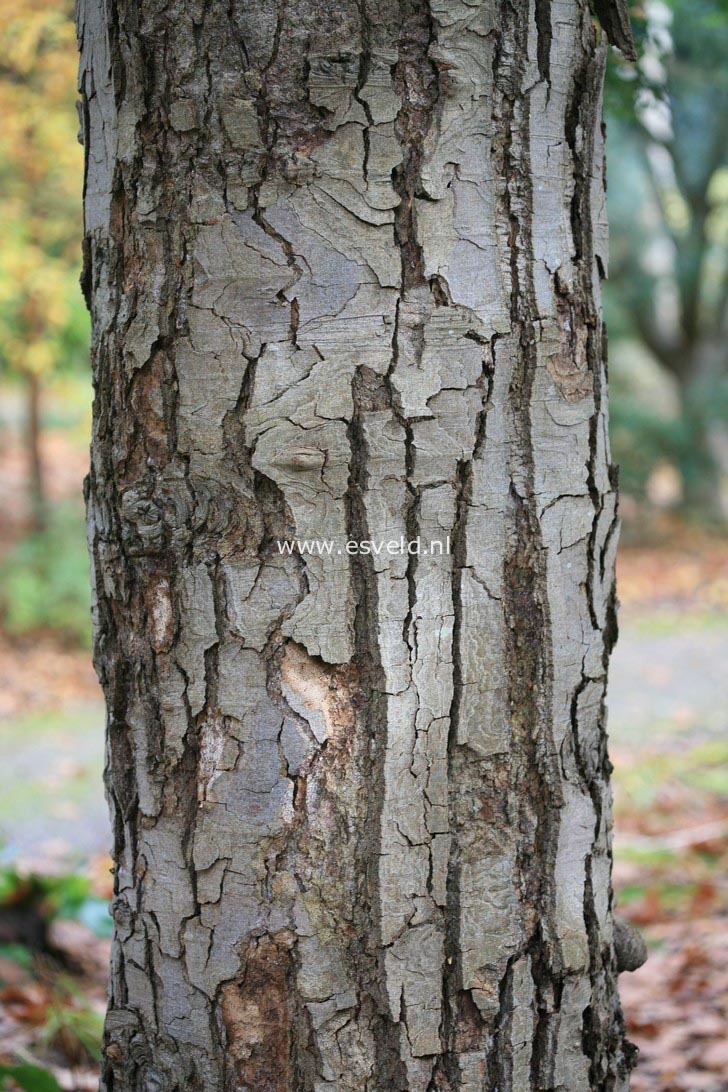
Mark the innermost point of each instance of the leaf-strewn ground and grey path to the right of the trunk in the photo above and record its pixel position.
(669, 721)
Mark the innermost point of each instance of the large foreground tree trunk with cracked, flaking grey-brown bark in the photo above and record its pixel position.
(344, 267)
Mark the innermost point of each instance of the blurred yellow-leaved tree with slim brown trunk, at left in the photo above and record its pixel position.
(43, 326)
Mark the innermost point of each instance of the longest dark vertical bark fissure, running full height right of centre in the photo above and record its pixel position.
(531, 671)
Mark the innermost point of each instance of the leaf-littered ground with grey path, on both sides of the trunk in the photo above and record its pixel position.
(669, 714)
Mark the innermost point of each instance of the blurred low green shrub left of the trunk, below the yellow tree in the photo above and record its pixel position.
(44, 580)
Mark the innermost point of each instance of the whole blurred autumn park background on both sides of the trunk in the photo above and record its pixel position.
(667, 314)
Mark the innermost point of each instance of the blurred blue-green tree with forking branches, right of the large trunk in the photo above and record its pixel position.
(670, 215)
